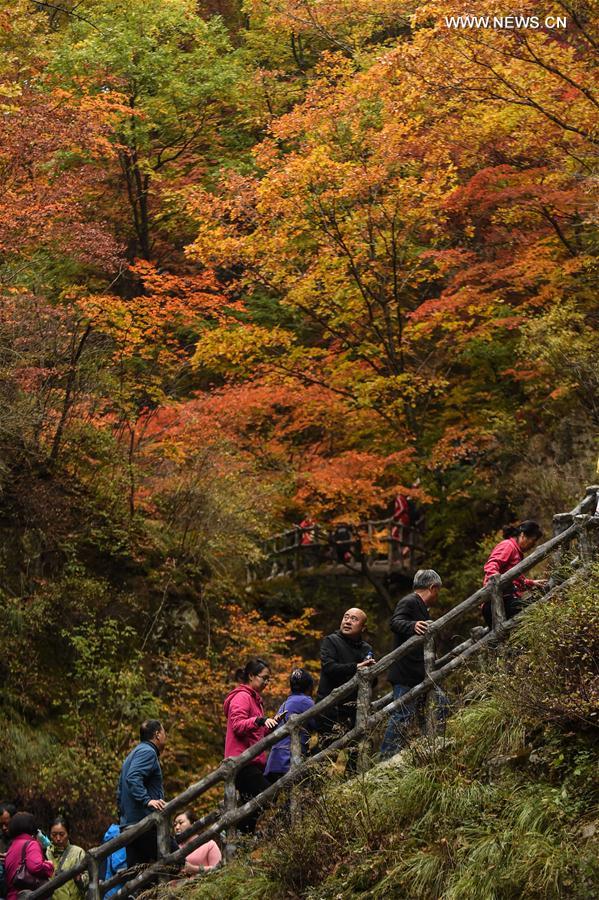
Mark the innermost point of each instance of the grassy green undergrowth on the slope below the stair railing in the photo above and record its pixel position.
(507, 808)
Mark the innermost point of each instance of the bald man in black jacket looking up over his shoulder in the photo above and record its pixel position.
(341, 655)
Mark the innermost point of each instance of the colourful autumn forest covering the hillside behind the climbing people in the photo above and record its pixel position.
(261, 259)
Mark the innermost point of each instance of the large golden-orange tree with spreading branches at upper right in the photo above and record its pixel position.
(410, 238)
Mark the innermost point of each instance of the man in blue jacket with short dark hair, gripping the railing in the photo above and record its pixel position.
(140, 790)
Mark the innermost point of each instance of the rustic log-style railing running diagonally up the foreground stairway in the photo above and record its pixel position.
(577, 524)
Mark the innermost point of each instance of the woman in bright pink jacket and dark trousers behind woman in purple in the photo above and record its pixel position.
(246, 725)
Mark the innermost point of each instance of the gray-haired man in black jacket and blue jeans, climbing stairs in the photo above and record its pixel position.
(411, 617)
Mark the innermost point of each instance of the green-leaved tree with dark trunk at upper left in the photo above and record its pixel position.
(174, 73)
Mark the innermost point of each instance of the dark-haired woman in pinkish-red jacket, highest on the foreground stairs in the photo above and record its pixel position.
(518, 539)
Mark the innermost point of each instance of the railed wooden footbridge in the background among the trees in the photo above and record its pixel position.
(377, 548)
